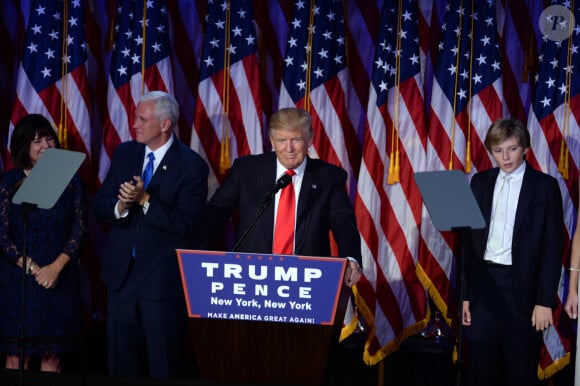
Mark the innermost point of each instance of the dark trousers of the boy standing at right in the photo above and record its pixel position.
(503, 347)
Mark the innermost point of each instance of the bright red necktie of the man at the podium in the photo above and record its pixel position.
(284, 229)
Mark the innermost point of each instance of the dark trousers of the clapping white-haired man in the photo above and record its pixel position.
(146, 338)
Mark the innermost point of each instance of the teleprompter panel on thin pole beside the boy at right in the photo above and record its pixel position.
(452, 207)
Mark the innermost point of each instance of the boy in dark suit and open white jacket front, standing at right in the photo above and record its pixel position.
(513, 265)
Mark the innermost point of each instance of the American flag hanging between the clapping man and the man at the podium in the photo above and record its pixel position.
(228, 119)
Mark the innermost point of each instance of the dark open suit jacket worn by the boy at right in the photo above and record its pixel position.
(537, 239)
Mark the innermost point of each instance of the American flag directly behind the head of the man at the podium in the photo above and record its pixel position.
(317, 79)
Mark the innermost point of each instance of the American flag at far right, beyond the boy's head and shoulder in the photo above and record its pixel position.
(554, 131)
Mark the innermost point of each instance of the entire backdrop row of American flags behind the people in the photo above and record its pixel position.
(394, 87)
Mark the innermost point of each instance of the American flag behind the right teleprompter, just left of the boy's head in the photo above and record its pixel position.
(466, 97)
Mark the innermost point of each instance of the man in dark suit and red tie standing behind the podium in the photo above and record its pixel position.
(322, 204)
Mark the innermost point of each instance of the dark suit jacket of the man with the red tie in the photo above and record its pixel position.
(323, 206)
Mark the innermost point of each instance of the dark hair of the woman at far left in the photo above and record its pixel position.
(24, 133)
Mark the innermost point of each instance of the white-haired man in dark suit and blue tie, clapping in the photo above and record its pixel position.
(150, 217)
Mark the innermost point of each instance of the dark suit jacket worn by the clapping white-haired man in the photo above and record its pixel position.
(178, 191)
